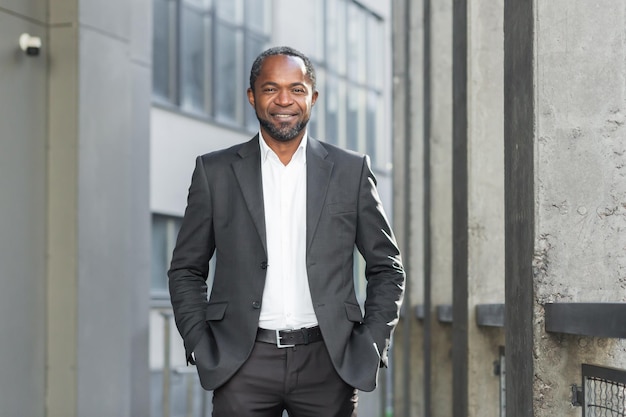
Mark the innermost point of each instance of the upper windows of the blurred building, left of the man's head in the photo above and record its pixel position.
(201, 52)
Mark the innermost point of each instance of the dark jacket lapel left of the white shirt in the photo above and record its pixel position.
(248, 173)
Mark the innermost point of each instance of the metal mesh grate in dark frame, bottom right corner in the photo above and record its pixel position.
(604, 391)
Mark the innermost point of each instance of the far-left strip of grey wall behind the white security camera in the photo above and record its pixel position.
(22, 211)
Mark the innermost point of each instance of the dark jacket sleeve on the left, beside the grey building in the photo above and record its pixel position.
(189, 268)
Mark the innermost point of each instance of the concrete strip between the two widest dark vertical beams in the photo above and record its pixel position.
(485, 199)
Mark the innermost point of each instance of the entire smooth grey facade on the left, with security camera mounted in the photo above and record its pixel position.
(75, 228)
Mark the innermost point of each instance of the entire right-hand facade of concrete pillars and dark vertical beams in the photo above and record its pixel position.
(510, 151)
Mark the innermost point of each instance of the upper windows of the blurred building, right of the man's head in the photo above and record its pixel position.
(353, 92)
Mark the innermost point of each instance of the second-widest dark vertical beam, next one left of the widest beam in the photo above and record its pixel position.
(459, 211)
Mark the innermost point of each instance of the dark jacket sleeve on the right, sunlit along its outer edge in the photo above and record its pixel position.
(384, 272)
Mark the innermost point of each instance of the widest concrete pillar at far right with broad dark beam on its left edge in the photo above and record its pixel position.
(565, 153)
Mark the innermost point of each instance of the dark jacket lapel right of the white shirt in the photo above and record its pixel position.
(317, 181)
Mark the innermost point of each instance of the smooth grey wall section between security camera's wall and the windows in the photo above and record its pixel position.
(98, 208)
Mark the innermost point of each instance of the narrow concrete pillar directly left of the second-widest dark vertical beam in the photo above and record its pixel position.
(438, 222)
